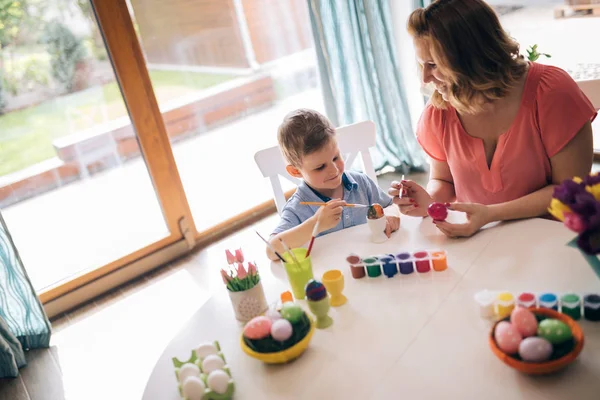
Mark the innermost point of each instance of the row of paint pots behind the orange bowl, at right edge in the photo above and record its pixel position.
(500, 304)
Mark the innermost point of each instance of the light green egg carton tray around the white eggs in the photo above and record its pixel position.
(196, 360)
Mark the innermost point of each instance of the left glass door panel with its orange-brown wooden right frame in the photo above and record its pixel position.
(88, 182)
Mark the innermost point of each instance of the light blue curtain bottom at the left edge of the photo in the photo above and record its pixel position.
(23, 322)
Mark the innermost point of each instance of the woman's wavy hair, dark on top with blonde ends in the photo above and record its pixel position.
(471, 49)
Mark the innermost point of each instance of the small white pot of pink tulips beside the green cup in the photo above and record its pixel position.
(244, 287)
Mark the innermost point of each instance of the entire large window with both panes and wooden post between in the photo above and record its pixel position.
(129, 127)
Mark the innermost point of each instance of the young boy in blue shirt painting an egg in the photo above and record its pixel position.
(308, 143)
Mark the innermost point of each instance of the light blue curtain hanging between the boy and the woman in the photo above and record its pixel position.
(360, 77)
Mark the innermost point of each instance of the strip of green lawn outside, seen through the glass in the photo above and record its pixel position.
(26, 135)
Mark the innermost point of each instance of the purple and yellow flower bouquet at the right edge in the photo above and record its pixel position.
(576, 202)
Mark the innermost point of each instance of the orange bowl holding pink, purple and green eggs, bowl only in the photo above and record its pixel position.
(547, 367)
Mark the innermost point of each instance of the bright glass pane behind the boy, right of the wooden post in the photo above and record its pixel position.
(226, 73)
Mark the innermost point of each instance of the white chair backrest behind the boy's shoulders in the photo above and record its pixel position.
(353, 140)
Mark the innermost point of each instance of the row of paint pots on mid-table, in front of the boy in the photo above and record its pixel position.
(403, 263)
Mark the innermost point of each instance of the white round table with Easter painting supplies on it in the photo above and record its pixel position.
(416, 336)
